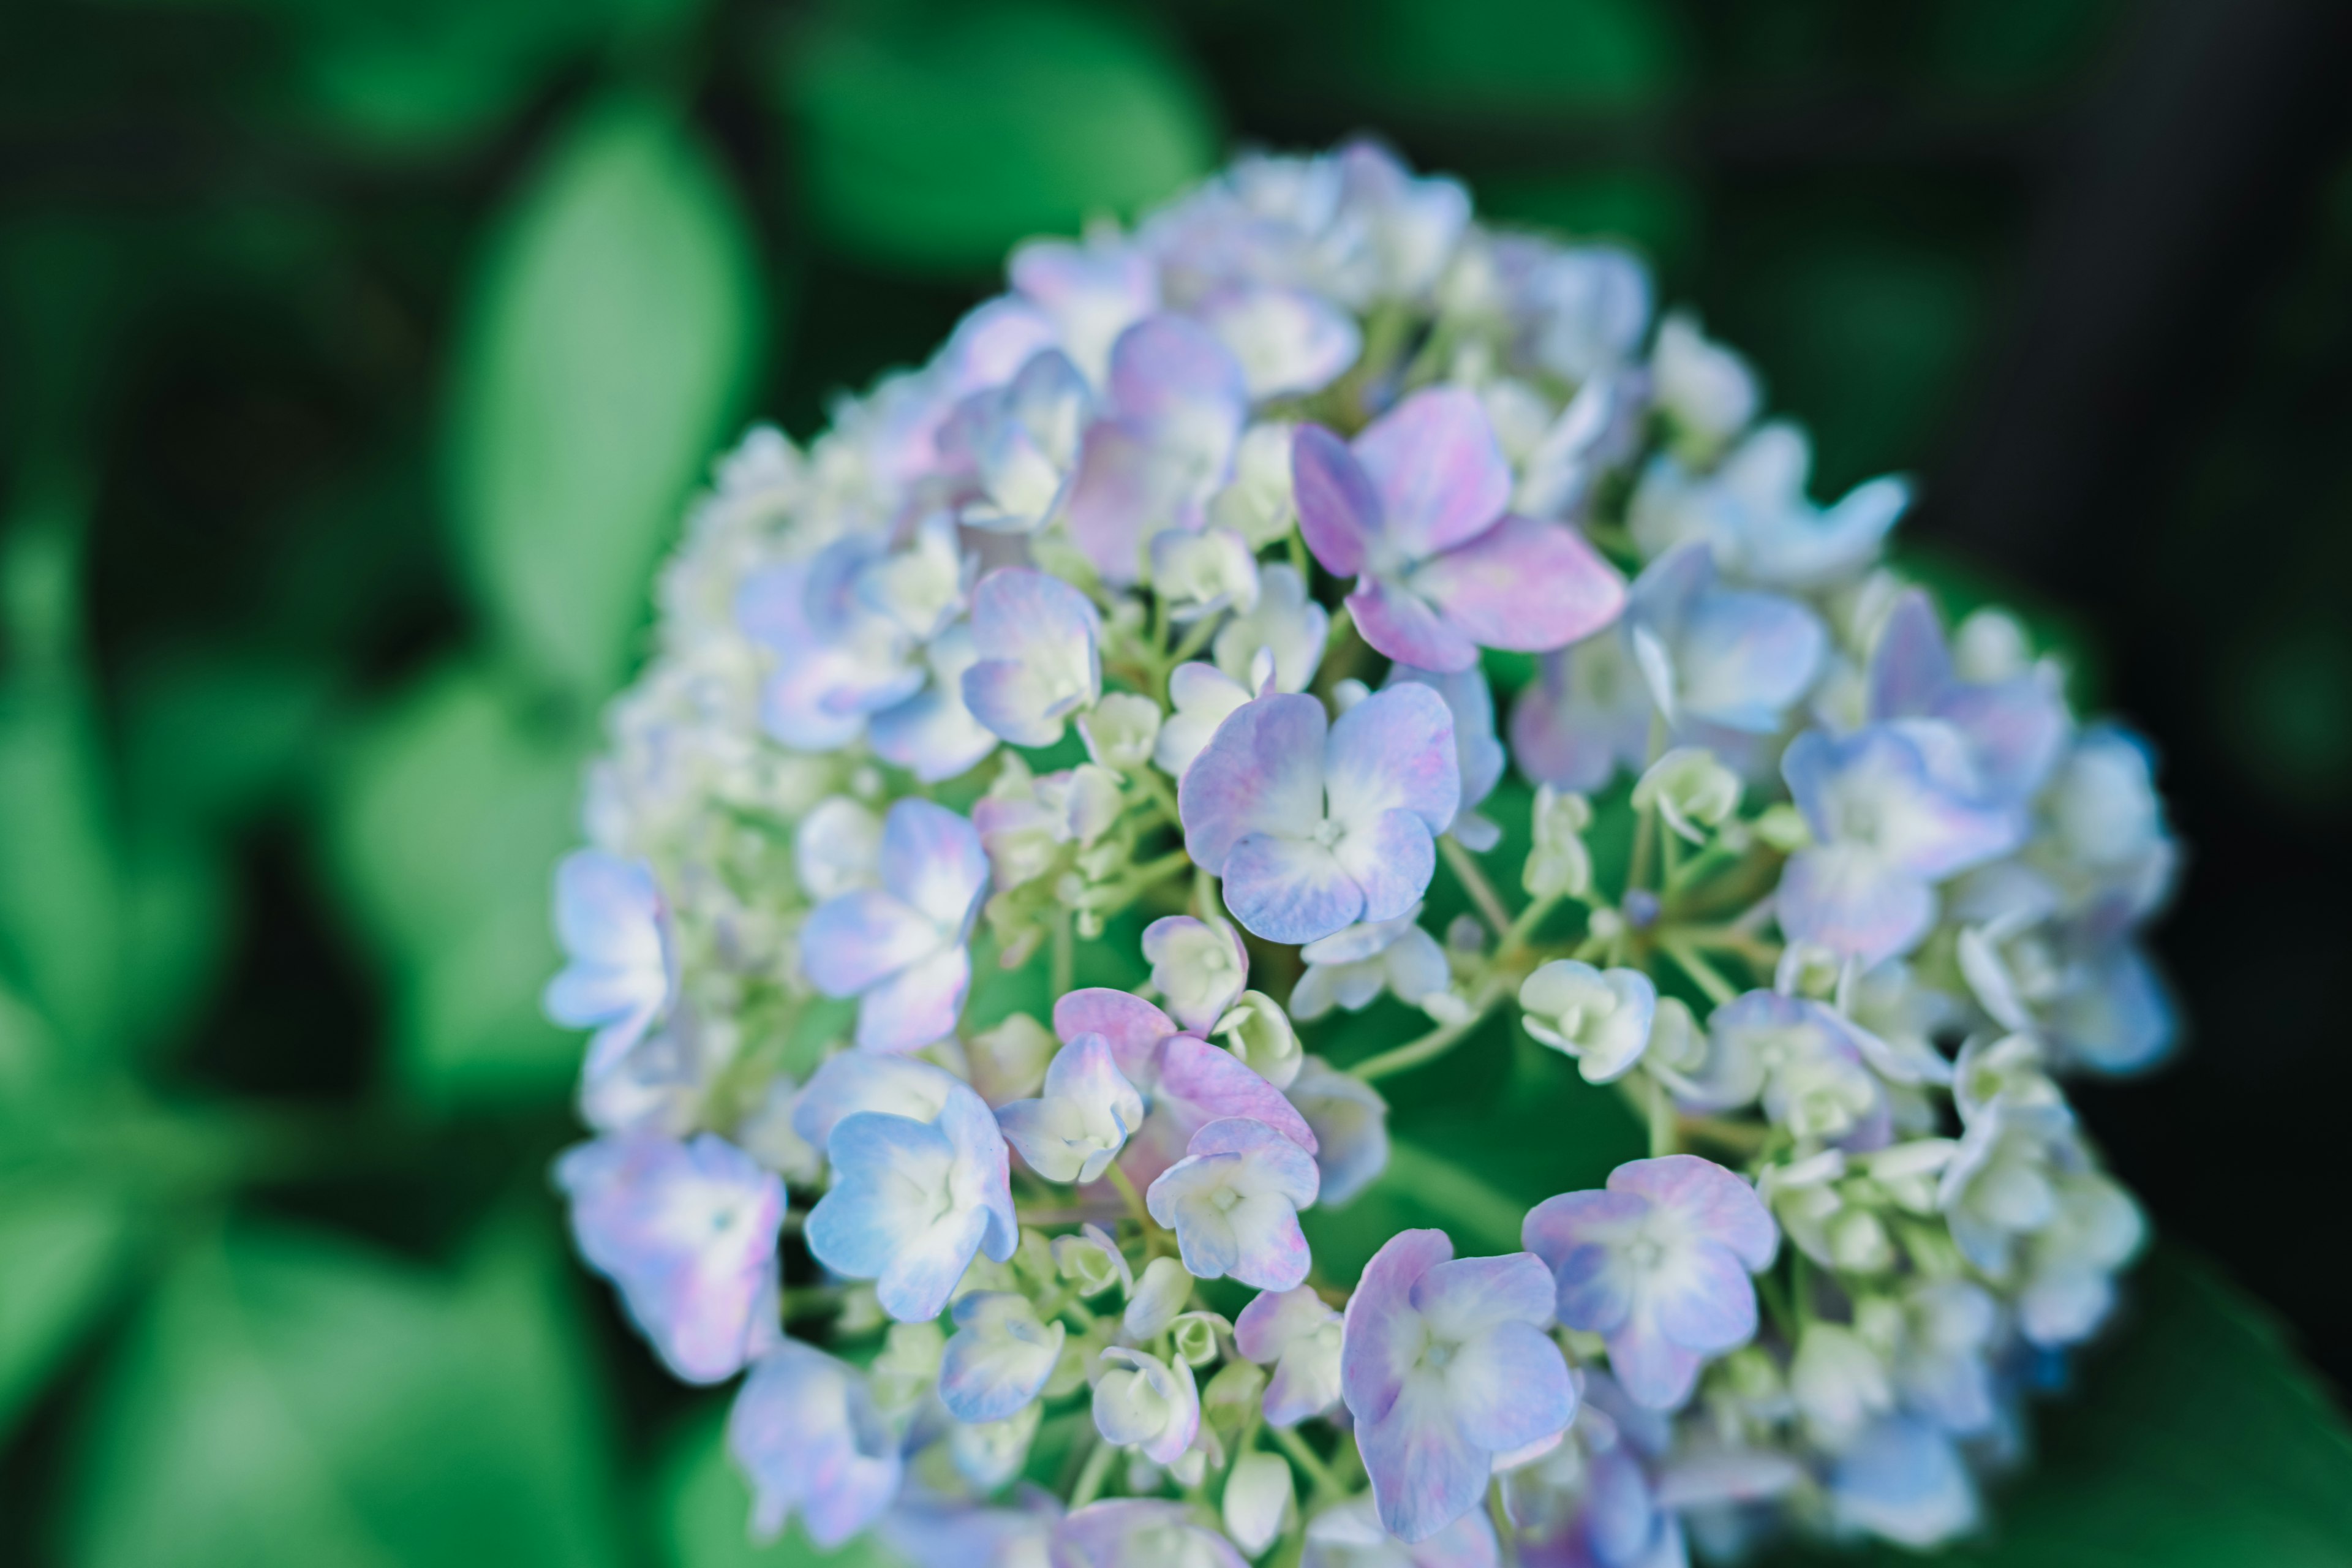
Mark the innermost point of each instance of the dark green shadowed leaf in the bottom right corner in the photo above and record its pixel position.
(2196, 1440)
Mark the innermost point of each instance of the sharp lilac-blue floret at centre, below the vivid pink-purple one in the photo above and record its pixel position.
(1316, 826)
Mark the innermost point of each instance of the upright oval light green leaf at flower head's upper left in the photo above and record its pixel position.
(610, 344)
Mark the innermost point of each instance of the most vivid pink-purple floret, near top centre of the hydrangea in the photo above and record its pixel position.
(1415, 509)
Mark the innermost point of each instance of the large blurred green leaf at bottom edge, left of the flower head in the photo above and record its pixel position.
(298, 1400)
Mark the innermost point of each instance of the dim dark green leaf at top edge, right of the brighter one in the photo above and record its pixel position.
(1542, 55)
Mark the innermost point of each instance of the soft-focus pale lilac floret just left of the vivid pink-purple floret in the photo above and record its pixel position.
(1175, 410)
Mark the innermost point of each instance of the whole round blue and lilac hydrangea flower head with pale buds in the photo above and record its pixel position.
(1036, 760)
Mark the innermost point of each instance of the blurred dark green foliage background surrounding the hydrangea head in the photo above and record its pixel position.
(356, 359)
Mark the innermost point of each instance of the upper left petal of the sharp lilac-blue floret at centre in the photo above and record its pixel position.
(1262, 772)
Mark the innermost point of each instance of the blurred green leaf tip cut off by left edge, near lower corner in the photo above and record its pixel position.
(62, 1252)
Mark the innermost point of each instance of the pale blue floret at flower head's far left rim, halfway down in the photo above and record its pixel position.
(622, 970)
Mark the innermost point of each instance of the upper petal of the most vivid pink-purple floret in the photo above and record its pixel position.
(1438, 471)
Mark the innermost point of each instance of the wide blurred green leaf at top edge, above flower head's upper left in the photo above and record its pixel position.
(940, 135)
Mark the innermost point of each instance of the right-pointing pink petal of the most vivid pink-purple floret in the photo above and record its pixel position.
(1523, 584)
